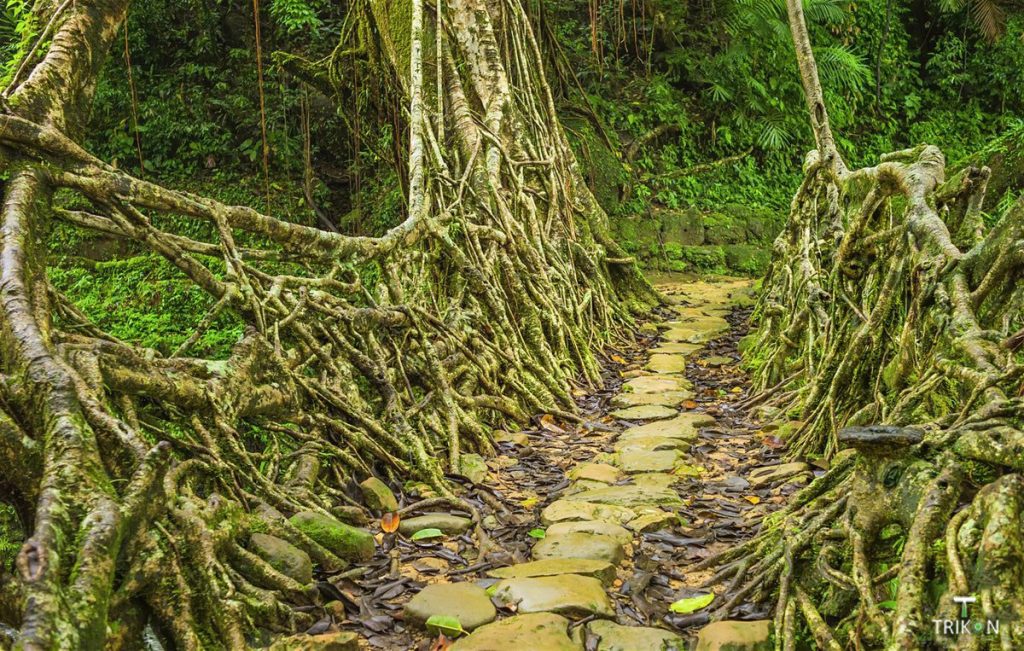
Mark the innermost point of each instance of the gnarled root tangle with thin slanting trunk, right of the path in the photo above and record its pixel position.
(889, 300)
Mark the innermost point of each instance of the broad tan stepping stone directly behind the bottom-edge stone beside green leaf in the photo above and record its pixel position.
(570, 595)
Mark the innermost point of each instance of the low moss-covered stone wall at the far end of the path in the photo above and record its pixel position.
(736, 239)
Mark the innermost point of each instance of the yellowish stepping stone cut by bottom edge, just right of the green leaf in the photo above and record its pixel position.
(545, 632)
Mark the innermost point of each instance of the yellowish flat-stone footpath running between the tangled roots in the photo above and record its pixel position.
(563, 597)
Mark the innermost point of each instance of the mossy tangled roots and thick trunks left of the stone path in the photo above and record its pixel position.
(141, 476)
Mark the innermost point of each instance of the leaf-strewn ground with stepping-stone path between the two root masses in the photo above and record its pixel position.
(591, 526)
